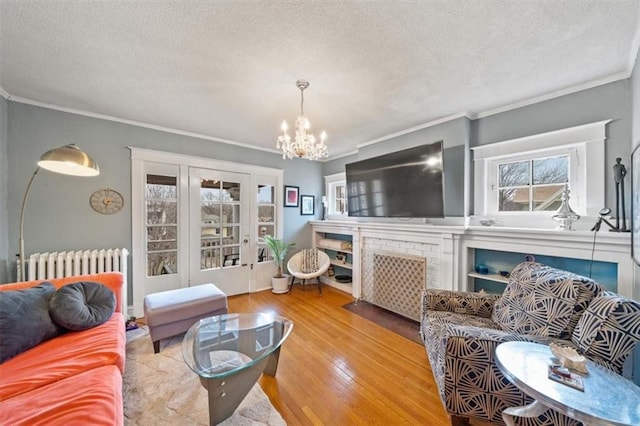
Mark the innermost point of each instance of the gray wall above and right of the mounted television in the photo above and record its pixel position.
(455, 136)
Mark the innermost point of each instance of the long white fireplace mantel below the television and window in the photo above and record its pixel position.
(455, 244)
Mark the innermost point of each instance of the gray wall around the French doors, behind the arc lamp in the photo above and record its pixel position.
(58, 215)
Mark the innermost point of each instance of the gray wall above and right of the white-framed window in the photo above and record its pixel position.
(610, 101)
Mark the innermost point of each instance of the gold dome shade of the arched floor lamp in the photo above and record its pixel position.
(69, 160)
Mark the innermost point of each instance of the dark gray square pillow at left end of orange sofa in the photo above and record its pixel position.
(24, 319)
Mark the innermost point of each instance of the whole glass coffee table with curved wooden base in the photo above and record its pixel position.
(230, 352)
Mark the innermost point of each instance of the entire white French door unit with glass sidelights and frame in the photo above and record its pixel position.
(197, 220)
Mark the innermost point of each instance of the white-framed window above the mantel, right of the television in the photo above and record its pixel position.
(526, 176)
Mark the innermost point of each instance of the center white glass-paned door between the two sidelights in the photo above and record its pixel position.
(220, 243)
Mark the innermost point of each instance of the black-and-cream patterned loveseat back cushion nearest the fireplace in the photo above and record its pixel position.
(539, 300)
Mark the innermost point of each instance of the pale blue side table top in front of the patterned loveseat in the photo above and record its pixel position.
(608, 398)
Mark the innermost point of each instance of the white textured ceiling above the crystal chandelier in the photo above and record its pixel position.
(227, 69)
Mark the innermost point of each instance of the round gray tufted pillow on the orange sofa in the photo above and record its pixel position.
(82, 305)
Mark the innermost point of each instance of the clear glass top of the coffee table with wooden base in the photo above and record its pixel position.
(223, 345)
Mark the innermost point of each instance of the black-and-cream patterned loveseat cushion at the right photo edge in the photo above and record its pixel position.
(609, 329)
